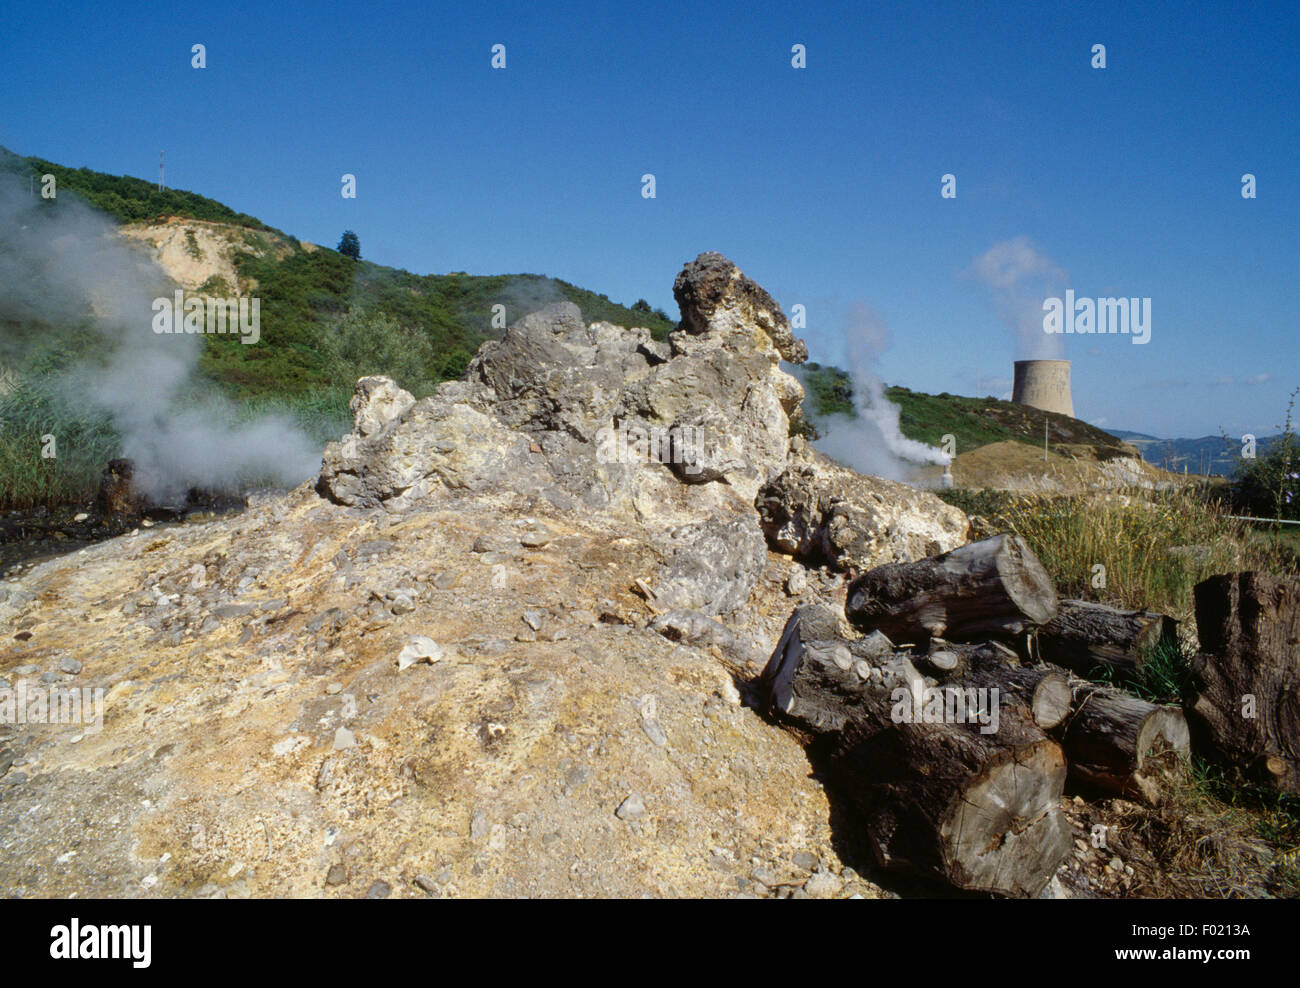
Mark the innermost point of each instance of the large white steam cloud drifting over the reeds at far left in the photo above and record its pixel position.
(63, 265)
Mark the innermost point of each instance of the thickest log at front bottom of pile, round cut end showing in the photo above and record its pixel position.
(980, 811)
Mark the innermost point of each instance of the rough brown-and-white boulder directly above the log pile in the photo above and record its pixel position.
(820, 512)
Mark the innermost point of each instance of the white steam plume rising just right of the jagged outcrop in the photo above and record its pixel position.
(872, 443)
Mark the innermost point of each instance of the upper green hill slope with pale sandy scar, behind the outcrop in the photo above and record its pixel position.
(302, 287)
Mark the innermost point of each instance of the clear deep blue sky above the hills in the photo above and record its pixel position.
(824, 184)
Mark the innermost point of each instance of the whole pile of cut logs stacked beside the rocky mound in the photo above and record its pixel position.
(954, 749)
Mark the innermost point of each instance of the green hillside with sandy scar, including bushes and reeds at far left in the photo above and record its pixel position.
(422, 330)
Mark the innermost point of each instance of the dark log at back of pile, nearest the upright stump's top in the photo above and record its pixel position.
(1086, 635)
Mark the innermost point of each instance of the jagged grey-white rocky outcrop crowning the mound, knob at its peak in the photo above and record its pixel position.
(612, 415)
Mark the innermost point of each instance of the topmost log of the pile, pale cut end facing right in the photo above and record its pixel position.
(990, 590)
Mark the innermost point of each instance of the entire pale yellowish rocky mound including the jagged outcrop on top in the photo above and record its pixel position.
(476, 657)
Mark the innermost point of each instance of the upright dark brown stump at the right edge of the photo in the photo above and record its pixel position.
(1246, 712)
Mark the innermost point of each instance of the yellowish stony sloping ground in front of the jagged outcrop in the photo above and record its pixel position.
(261, 739)
